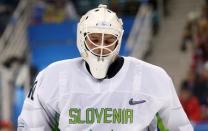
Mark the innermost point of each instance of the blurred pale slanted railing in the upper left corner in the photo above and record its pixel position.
(13, 41)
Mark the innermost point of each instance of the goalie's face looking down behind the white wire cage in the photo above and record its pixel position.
(101, 44)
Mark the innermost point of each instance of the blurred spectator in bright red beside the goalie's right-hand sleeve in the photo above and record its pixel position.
(190, 104)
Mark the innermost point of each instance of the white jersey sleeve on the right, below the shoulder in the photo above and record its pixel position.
(172, 114)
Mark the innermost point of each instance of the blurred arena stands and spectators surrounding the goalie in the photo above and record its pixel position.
(172, 34)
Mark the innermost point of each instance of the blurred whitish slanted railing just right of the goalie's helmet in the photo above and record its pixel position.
(139, 39)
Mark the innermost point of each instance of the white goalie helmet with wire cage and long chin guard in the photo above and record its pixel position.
(99, 35)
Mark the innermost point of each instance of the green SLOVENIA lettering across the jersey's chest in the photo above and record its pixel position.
(101, 115)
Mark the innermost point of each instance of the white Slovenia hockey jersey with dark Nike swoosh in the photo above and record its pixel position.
(66, 96)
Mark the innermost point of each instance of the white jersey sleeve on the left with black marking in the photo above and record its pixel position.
(35, 115)
